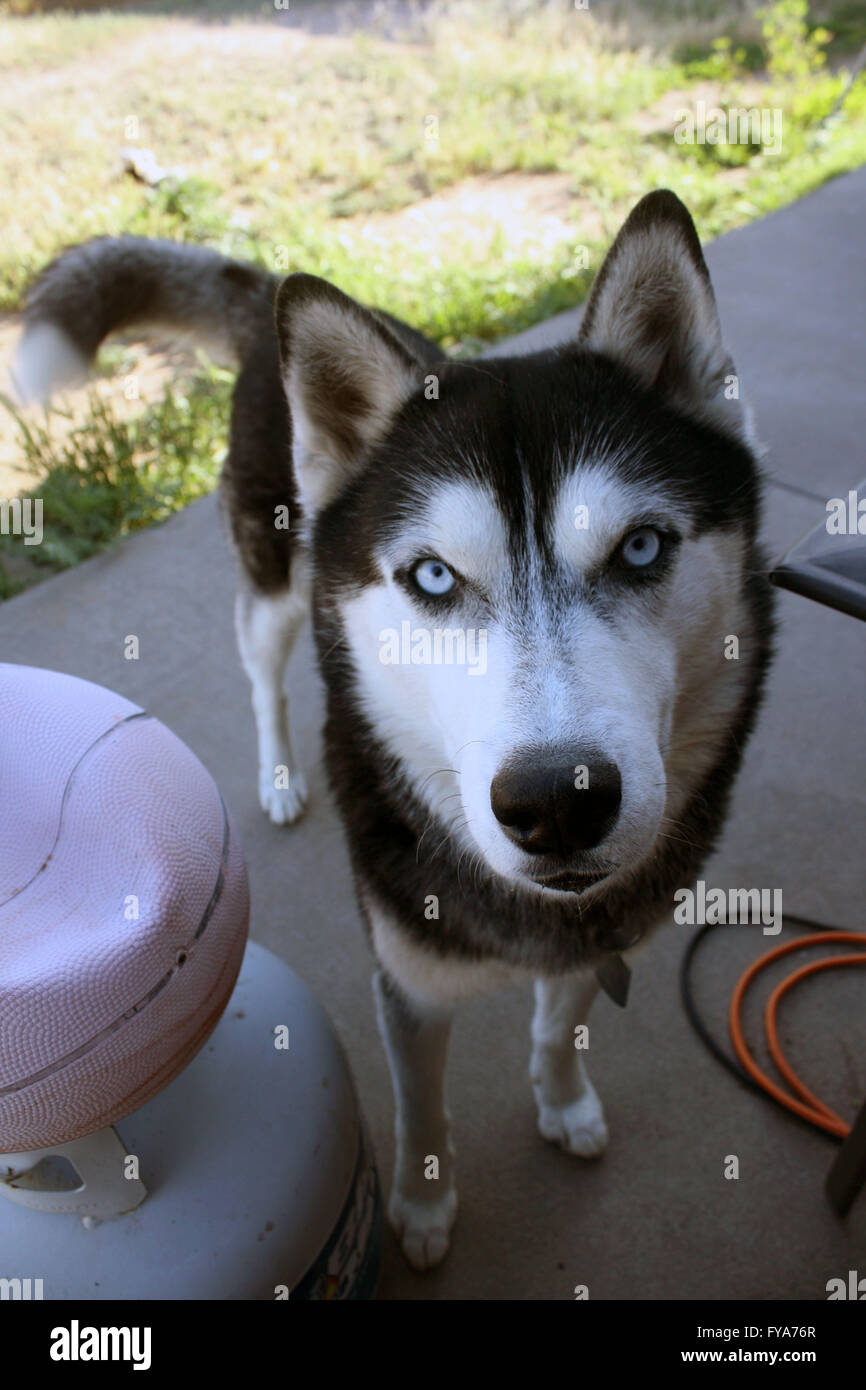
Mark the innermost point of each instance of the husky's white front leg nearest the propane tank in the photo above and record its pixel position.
(423, 1199)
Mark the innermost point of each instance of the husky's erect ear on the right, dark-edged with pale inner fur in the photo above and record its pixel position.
(653, 308)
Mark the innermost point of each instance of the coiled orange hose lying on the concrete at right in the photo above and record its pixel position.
(808, 1107)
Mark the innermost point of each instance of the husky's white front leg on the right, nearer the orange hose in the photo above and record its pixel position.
(569, 1111)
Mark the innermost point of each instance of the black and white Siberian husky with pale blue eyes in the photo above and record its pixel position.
(526, 575)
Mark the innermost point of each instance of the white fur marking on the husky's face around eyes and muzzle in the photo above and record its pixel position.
(635, 685)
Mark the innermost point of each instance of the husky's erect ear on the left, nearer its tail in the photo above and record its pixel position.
(345, 376)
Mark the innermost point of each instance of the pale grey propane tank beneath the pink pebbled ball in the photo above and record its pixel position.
(259, 1175)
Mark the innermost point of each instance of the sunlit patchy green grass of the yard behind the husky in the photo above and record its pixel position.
(288, 142)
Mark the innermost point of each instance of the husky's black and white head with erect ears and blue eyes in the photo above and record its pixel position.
(534, 568)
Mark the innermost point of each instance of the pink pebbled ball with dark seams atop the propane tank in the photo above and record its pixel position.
(124, 907)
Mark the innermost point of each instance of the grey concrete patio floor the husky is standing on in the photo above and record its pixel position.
(655, 1218)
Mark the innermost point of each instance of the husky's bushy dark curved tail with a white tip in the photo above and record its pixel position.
(112, 284)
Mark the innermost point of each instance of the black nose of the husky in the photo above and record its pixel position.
(557, 806)
